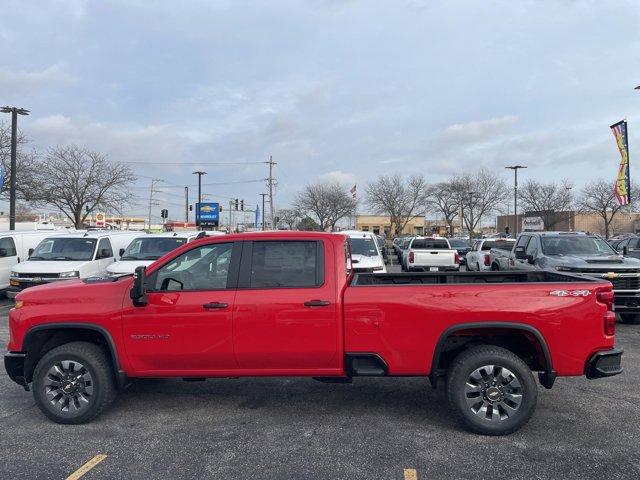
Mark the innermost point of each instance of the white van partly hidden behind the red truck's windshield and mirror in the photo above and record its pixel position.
(147, 249)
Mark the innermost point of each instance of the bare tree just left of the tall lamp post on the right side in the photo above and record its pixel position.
(479, 195)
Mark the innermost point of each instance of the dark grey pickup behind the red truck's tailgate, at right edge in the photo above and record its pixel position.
(586, 254)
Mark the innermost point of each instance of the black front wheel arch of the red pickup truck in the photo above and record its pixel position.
(42, 338)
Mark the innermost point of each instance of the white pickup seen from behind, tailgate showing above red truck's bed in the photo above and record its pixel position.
(430, 254)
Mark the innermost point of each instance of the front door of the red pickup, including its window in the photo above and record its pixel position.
(185, 329)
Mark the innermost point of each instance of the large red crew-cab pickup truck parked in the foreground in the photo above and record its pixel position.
(288, 304)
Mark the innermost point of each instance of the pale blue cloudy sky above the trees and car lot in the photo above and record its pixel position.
(333, 89)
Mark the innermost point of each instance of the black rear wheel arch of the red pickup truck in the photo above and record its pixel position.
(492, 330)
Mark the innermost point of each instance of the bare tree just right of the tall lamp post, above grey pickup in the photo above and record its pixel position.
(551, 201)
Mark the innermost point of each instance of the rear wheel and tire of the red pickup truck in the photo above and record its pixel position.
(510, 382)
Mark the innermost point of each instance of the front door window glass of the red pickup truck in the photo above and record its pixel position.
(202, 268)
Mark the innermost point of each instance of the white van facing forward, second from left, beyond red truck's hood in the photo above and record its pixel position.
(75, 255)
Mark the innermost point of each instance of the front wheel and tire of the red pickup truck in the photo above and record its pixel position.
(82, 368)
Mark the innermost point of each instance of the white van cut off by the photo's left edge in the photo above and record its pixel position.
(15, 246)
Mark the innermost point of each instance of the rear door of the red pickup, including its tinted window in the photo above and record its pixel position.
(286, 314)
